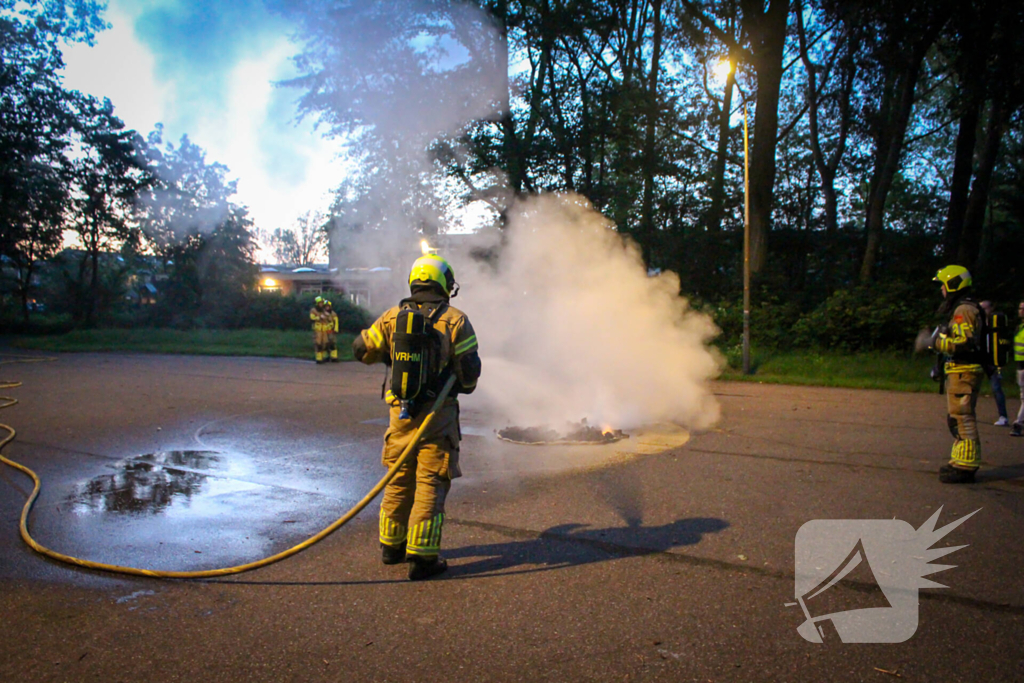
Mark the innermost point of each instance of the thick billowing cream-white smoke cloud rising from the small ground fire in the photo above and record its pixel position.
(572, 326)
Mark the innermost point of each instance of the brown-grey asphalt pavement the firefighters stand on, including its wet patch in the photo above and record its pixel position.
(667, 557)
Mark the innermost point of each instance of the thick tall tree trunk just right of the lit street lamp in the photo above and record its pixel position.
(767, 32)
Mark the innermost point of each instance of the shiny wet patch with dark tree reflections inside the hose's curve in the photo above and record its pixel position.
(183, 510)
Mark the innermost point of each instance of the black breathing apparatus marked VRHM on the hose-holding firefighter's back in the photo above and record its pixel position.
(416, 356)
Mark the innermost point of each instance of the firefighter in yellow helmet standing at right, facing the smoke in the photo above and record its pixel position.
(962, 341)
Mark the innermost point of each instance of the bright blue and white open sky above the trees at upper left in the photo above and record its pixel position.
(207, 69)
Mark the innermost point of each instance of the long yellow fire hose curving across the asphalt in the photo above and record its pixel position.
(204, 574)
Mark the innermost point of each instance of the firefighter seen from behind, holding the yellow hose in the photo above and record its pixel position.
(413, 509)
